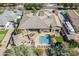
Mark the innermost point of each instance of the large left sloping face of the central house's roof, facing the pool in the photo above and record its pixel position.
(33, 22)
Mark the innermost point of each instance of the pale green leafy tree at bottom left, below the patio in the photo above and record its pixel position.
(21, 50)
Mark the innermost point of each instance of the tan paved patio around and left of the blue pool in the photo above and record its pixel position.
(34, 37)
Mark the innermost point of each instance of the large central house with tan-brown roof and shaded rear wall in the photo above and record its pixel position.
(39, 24)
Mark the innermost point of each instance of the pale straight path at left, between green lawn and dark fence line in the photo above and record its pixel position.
(5, 42)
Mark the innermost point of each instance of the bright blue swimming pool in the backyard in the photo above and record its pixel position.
(46, 39)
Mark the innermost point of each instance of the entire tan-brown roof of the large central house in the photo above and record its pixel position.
(35, 22)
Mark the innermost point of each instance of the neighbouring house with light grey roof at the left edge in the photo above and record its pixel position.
(8, 19)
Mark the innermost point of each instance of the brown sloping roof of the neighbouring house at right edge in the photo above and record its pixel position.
(74, 19)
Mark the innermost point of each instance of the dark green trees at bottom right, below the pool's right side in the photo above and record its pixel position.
(63, 49)
